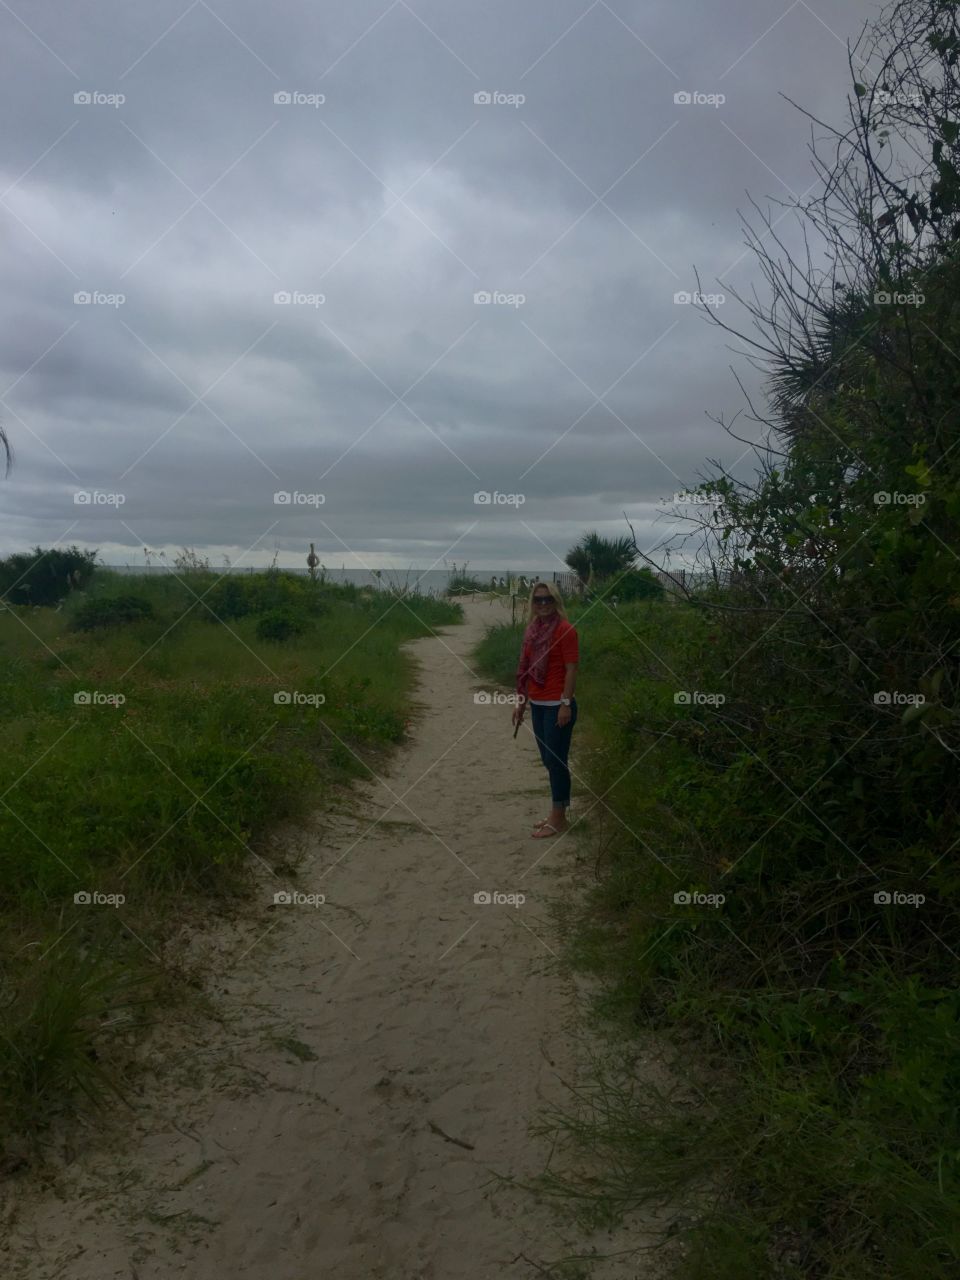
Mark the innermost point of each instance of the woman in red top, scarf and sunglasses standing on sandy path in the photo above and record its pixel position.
(546, 679)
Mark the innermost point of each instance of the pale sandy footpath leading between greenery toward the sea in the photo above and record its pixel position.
(414, 1014)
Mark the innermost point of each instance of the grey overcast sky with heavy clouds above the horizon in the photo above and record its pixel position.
(382, 199)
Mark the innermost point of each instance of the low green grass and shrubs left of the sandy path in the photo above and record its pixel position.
(157, 729)
